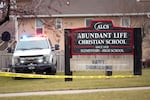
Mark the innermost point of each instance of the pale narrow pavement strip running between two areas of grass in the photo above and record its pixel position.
(72, 91)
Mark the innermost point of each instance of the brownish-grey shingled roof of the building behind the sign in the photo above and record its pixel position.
(88, 7)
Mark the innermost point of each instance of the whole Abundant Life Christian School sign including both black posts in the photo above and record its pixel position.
(105, 40)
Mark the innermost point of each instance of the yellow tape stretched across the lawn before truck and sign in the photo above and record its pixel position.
(9, 74)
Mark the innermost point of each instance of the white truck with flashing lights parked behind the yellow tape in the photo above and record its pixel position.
(34, 54)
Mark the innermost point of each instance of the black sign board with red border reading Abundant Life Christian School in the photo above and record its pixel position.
(102, 38)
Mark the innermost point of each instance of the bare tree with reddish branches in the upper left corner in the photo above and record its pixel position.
(25, 7)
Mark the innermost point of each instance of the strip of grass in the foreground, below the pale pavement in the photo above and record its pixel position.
(121, 95)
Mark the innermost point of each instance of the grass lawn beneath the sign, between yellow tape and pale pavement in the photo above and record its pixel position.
(8, 85)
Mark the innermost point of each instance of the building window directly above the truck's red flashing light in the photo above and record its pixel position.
(39, 27)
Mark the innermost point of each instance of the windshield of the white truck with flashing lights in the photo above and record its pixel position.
(32, 44)
